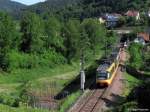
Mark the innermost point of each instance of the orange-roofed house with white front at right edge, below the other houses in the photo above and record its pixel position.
(142, 38)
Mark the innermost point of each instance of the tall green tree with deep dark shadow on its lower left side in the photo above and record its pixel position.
(32, 33)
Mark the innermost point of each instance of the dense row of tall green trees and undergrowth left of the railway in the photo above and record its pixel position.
(36, 41)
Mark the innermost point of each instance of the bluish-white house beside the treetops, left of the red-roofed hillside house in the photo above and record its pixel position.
(112, 19)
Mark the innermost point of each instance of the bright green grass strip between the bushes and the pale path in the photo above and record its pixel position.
(19, 76)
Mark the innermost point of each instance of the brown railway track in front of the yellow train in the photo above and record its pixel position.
(93, 101)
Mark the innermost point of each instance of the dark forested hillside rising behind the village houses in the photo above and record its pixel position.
(89, 8)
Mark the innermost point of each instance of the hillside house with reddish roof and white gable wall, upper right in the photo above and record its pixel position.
(132, 13)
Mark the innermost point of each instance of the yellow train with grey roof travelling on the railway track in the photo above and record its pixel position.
(106, 71)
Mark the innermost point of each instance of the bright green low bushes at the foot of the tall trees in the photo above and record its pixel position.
(27, 61)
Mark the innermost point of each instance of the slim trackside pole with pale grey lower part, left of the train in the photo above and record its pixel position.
(82, 72)
